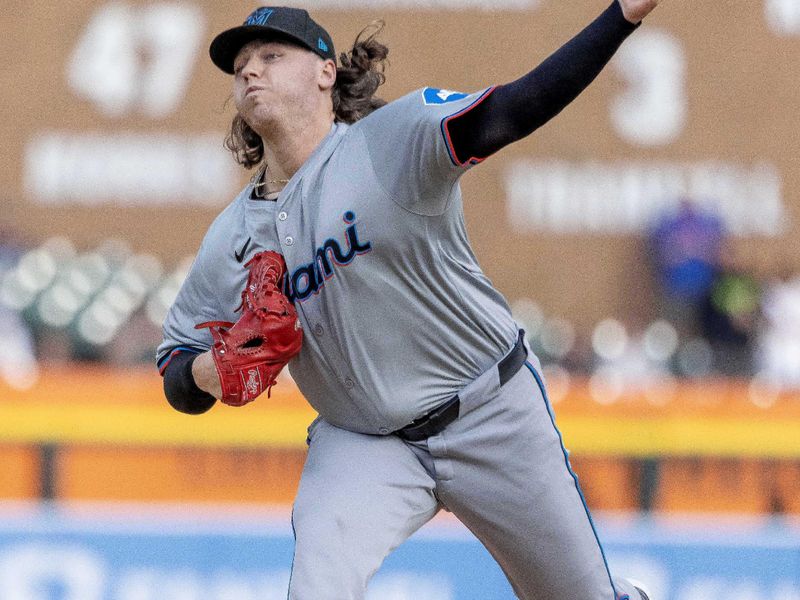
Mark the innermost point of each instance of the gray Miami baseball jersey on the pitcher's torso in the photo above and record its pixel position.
(397, 314)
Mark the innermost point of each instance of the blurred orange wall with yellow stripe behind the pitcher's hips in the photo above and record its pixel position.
(103, 434)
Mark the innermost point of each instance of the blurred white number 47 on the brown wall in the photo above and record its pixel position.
(136, 59)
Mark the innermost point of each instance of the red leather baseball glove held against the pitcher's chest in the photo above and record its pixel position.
(250, 353)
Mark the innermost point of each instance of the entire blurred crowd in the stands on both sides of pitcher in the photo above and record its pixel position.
(717, 313)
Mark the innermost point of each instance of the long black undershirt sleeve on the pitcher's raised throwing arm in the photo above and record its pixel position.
(514, 110)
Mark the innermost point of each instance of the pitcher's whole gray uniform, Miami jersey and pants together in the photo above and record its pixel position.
(398, 318)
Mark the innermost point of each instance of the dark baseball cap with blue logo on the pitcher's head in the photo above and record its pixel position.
(272, 22)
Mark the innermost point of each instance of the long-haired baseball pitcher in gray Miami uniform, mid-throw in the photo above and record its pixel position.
(347, 258)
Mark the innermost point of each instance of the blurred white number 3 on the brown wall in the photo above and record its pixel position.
(652, 110)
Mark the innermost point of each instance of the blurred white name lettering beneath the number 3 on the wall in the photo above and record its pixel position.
(626, 198)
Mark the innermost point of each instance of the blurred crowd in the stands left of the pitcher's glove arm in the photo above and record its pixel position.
(61, 305)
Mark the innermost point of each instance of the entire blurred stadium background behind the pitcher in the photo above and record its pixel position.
(647, 240)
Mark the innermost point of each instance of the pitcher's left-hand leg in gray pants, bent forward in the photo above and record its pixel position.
(359, 498)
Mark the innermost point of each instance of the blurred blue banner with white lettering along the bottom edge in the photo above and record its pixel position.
(135, 552)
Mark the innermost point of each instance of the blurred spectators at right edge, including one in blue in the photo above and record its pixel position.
(747, 311)
